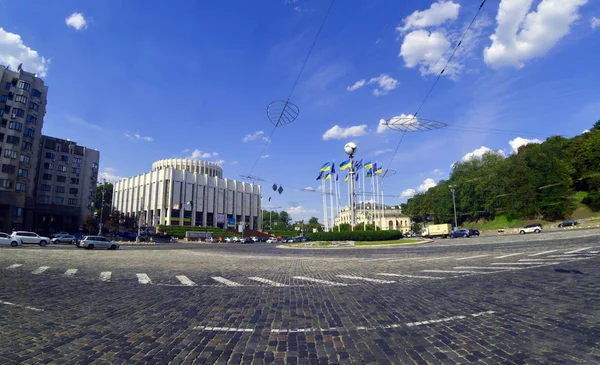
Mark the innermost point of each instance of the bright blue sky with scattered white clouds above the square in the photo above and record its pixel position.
(142, 82)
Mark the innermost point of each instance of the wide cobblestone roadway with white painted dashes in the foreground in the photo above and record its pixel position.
(529, 299)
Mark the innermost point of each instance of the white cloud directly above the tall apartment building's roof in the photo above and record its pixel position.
(13, 52)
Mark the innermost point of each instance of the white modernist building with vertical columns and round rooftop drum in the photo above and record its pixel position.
(188, 192)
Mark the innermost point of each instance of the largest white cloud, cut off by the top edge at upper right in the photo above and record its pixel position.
(521, 36)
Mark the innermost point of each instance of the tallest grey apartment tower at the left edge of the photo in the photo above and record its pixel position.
(22, 110)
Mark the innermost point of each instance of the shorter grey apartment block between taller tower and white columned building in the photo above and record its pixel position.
(65, 187)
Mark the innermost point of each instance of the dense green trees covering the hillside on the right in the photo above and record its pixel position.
(537, 182)
